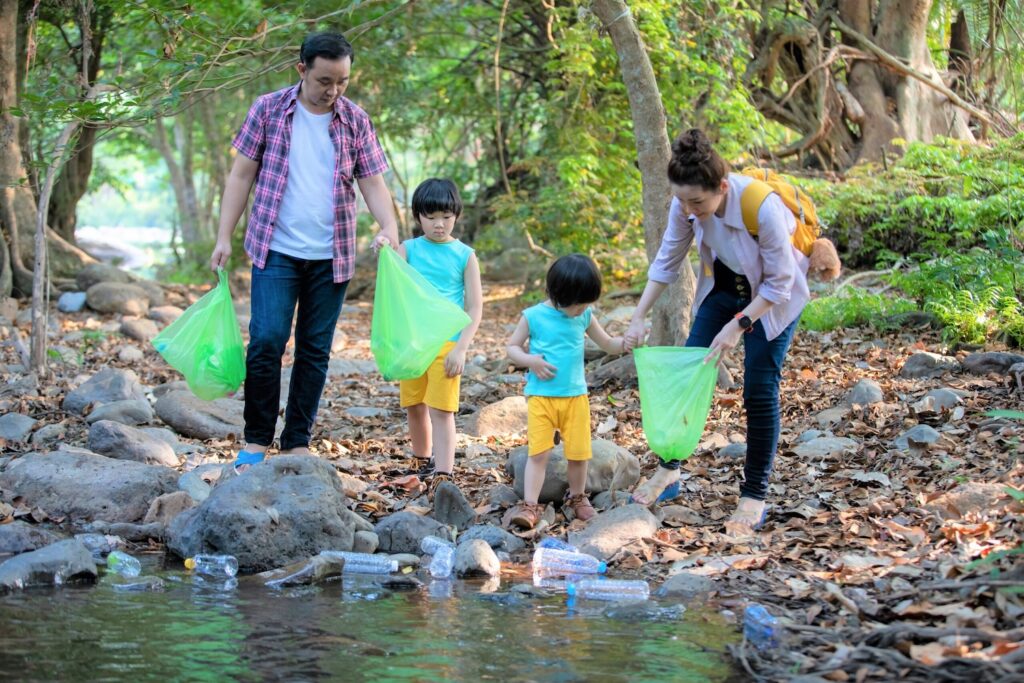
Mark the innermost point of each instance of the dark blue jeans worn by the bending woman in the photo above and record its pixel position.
(762, 374)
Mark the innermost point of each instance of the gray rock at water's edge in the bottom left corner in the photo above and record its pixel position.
(57, 565)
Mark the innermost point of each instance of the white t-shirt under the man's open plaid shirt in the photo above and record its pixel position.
(306, 221)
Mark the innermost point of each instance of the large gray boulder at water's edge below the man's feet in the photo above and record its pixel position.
(280, 511)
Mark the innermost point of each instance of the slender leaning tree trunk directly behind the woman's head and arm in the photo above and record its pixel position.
(671, 317)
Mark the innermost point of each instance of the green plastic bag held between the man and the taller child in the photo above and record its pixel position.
(412, 320)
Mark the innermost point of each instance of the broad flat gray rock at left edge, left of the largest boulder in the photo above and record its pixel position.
(83, 486)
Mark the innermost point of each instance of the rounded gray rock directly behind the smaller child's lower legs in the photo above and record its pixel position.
(612, 464)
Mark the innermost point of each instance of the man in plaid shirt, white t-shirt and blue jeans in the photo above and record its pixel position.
(303, 147)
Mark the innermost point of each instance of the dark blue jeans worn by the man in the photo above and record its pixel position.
(277, 289)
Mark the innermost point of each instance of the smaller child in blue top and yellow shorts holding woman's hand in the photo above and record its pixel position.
(557, 386)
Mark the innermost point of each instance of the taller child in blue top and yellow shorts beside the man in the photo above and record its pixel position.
(433, 400)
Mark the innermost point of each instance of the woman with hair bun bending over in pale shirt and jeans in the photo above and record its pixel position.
(750, 289)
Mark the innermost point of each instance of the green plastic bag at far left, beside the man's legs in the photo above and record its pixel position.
(205, 345)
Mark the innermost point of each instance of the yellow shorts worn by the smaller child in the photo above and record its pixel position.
(570, 415)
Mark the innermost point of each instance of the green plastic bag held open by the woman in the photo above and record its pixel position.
(676, 390)
